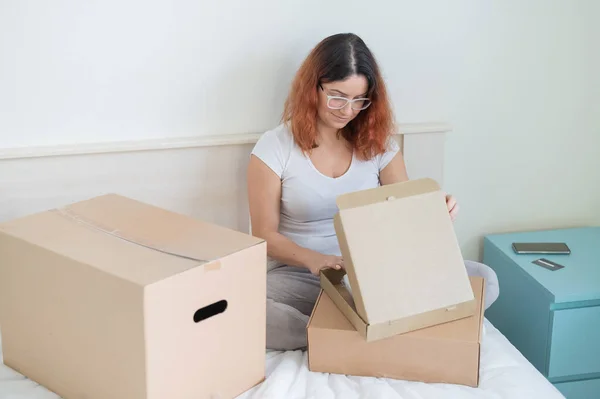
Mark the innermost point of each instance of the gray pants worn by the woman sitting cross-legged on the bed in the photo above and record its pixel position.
(293, 291)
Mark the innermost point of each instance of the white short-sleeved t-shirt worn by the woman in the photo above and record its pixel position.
(308, 197)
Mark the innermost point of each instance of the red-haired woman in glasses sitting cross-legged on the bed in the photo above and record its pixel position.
(336, 138)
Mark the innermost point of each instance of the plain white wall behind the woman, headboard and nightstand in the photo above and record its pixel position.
(515, 78)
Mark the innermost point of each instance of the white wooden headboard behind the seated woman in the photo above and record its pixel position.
(204, 177)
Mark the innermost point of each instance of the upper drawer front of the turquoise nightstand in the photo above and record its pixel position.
(575, 347)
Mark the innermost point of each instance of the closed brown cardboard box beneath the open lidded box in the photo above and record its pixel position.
(446, 353)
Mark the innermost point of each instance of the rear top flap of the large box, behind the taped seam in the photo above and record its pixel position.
(156, 228)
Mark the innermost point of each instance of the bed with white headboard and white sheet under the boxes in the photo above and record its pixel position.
(204, 177)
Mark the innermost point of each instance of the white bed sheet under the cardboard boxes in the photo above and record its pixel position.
(504, 373)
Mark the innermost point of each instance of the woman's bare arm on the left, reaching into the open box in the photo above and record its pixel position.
(264, 197)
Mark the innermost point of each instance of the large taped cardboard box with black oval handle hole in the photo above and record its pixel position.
(114, 298)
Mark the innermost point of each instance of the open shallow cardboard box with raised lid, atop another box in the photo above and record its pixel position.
(403, 260)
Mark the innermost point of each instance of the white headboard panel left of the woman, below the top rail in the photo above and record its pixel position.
(208, 182)
